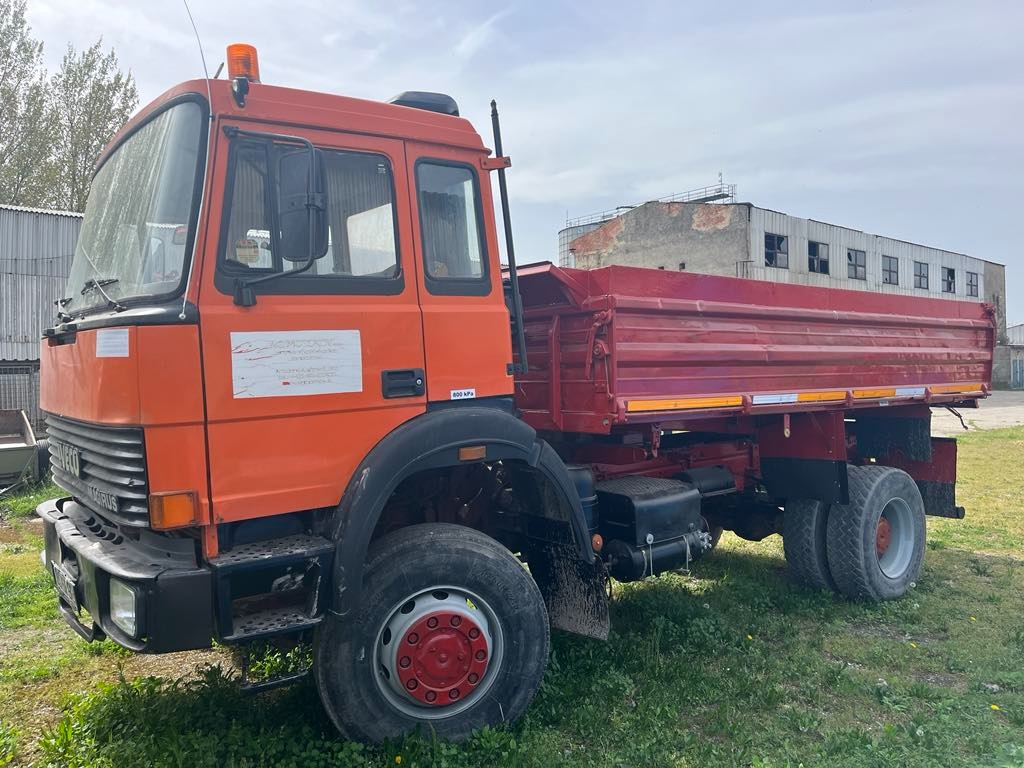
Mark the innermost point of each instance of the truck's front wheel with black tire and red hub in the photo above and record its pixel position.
(452, 635)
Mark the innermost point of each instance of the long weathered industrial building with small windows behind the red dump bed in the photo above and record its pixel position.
(707, 232)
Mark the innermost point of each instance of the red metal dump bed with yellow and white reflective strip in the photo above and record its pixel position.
(622, 346)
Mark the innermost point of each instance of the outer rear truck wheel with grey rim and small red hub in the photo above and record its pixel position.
(877, 542)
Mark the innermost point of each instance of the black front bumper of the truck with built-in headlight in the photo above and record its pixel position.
(175, 593)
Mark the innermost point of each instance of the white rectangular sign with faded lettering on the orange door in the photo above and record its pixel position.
(277, 364)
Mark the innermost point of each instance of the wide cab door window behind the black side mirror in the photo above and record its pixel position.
(363, 242)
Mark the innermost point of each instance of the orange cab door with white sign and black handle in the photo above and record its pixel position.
(301, 387)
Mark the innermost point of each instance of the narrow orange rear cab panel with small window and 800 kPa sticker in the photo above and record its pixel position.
(465, 322)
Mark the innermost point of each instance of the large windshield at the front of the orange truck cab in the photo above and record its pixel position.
(140, 215)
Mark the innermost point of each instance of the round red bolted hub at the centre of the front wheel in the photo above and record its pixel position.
(442, 657)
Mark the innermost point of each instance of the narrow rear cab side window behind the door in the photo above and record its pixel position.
(452, 228)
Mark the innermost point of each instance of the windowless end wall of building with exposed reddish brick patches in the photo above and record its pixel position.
(706, 238)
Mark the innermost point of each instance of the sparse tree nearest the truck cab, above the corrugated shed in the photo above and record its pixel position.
(90, 101)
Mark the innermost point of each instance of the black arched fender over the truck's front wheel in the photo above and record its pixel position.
(430, 442)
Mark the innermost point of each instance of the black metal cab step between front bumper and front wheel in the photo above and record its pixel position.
(272, 588)
